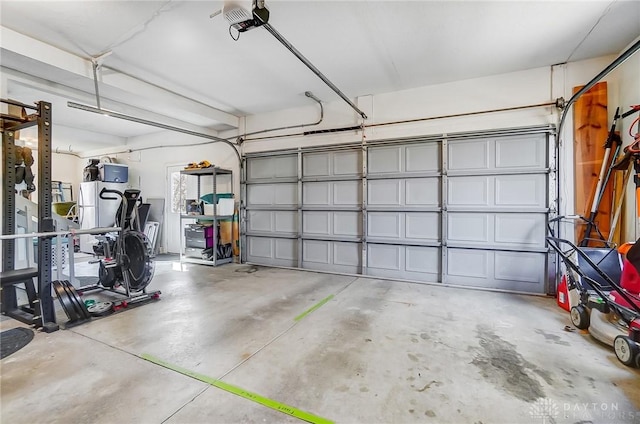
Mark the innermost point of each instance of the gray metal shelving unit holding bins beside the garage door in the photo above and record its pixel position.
(199, 174)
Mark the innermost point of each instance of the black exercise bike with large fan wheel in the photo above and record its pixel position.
(125, 266)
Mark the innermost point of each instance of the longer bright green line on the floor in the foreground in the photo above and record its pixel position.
(269, 403)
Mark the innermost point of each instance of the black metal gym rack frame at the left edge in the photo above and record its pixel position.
(40, 310)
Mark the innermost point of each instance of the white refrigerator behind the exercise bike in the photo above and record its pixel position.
(96, 212)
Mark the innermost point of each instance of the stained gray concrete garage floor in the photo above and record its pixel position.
(378, 352)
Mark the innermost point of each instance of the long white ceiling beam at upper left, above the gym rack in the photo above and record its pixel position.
(116, 86)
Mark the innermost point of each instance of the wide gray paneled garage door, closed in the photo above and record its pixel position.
(465, 209)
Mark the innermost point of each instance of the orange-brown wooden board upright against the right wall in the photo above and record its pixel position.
(590, 131)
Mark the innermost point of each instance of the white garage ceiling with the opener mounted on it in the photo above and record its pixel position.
(169, 61)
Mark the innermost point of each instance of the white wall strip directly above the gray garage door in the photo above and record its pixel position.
(514, 89)
